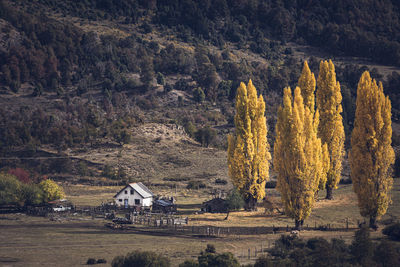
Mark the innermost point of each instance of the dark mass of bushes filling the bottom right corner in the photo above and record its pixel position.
(293, 251)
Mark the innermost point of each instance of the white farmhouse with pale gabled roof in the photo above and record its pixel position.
(134, 195)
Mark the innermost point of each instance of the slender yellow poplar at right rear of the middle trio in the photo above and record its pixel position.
(330, 130)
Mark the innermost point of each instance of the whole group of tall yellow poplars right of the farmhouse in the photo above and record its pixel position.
(309, 144)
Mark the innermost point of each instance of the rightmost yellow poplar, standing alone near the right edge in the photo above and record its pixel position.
(371, 151)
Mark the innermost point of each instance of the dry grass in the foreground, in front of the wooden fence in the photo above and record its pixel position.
(37, 241)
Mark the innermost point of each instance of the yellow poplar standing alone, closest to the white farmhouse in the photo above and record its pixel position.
(248, 148)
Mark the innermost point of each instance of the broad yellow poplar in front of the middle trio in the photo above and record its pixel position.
(297, 156)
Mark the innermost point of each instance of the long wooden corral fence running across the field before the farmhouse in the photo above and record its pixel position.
(171, 223)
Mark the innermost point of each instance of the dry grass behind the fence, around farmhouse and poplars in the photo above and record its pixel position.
(335, 212)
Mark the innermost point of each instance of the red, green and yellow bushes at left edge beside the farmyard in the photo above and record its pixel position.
(17, 187)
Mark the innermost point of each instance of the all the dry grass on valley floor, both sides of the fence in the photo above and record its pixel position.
(37, 241)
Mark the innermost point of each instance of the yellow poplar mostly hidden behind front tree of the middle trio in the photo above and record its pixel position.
(307, 85)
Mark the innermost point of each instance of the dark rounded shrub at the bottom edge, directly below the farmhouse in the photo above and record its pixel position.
(141, 258)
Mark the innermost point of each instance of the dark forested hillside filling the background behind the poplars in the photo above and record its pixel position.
(82, 72)
